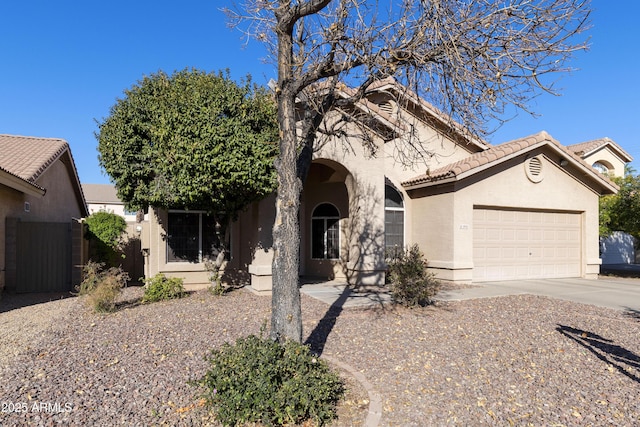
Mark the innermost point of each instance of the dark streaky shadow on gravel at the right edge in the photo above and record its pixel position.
(625, 361)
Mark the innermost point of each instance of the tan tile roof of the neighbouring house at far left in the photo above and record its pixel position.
(28, 157)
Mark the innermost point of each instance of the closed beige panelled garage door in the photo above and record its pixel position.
(519, 244)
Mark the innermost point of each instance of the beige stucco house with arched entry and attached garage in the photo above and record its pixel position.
(524, 209)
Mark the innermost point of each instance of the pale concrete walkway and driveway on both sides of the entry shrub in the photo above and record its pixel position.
(616, 293)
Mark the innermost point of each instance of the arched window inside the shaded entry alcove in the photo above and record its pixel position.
(325, 232)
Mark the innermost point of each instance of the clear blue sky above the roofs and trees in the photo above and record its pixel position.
(64, 63)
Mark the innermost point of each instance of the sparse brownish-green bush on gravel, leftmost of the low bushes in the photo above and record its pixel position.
(102, 287)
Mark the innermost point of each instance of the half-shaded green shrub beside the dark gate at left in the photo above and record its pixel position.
(104, 231)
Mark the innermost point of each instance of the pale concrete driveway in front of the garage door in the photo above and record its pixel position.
(619, 294)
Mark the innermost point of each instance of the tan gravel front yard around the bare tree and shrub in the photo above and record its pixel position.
(521, 360)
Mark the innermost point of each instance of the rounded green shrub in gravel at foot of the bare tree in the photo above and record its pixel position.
(260, 380)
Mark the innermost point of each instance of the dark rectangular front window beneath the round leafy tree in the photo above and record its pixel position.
(191, 237)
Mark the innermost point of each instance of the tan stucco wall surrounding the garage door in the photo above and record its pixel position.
(446, 237)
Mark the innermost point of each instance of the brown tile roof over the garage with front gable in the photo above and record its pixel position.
(495, 155)
